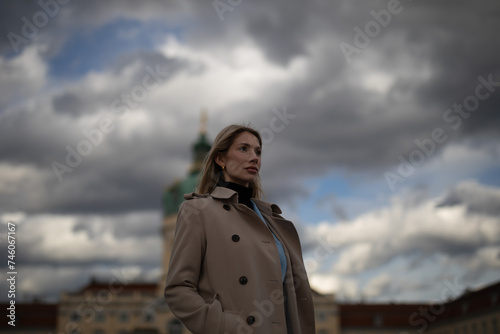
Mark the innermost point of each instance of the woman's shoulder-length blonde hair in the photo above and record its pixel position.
(211, 173)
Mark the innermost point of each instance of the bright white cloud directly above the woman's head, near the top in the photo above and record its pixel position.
(243, 73)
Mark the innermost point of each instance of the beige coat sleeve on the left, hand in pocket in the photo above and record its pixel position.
(181, 293)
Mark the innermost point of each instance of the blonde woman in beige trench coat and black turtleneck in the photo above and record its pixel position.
(236, 264)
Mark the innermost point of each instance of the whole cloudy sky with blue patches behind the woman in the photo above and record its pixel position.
(380, 121)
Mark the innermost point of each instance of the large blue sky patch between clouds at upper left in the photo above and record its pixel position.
(97, 49)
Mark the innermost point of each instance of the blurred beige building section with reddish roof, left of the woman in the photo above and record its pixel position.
(118, 307)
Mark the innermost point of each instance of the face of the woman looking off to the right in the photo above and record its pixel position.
(242, 160)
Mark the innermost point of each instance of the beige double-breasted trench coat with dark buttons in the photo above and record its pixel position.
(224, 275)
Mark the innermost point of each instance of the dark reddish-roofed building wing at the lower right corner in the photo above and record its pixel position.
(474, 312)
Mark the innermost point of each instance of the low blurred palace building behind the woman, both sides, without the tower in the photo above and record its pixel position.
(120, 307)
